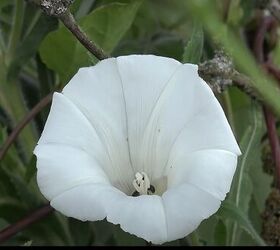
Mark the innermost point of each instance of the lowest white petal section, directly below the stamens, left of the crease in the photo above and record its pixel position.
(142, 216)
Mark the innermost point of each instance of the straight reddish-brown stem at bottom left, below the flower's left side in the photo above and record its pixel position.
(25, 222)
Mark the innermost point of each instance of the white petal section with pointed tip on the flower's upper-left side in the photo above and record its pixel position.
(67, 125)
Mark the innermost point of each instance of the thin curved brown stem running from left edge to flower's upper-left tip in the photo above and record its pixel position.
(32, 113)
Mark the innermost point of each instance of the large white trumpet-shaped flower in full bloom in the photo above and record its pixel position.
(142, 125)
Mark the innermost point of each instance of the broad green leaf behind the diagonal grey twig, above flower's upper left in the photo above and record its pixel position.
(105, 26)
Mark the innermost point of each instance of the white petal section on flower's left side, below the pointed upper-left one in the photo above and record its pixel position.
(62, 167)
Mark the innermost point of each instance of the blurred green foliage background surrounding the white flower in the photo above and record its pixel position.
(38, 55)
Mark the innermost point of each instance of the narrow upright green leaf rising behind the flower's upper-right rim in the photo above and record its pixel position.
(193, 50)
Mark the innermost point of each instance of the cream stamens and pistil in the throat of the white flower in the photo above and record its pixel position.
(142, 184)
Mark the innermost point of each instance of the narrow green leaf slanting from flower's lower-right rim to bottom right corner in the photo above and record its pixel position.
(230, 211)
